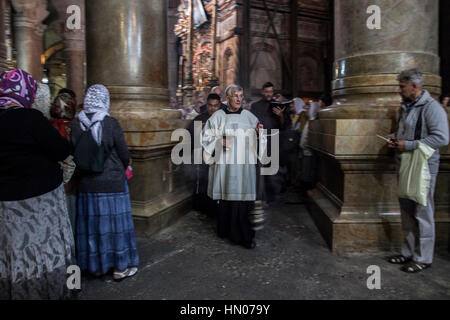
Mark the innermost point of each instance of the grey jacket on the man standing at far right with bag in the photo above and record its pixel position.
(435, 132)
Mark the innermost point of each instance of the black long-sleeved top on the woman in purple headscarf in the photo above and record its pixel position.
(30, 149)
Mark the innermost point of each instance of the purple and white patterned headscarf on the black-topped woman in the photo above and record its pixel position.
(17, 87)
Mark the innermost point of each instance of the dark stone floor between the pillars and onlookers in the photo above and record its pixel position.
(291, 262)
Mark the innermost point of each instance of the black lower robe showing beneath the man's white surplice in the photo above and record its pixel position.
(233, 221)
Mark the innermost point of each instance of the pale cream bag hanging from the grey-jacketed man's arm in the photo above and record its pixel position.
(414, 176)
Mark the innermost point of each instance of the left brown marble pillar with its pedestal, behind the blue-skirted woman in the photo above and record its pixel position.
(126, 50)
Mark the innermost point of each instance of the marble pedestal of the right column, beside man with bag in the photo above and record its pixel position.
(355, 205)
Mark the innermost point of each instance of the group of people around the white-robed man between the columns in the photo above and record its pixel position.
(226, 190)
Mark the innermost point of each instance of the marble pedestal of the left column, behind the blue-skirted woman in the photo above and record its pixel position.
(160, 191)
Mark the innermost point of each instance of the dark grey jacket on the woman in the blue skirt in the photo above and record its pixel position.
(113, 178)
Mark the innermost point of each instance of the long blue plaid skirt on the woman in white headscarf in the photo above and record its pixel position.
(105, 232)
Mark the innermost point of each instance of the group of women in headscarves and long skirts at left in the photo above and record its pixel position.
(53, 214)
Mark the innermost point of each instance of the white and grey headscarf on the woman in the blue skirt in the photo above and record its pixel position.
(96, 101)
